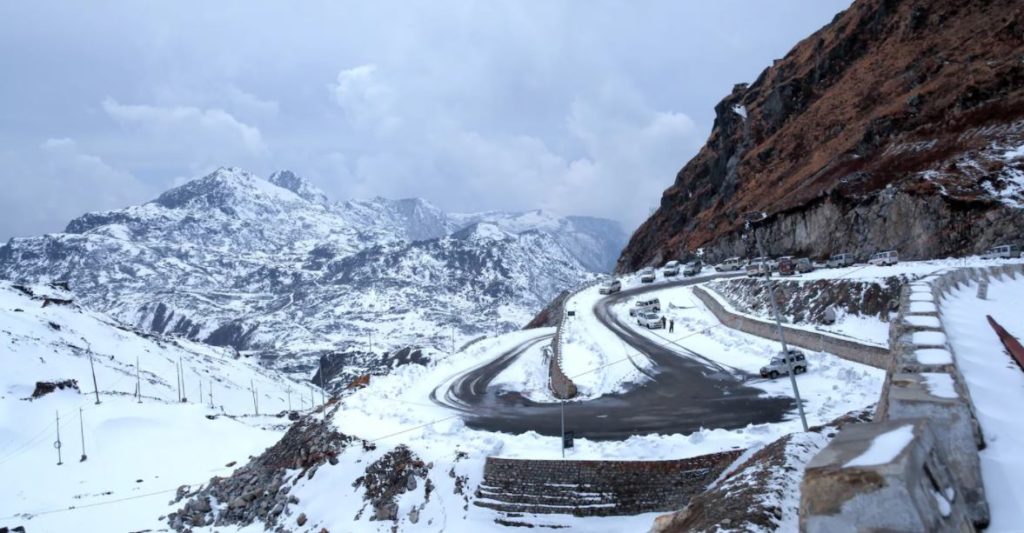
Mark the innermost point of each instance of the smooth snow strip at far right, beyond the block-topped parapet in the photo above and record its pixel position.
(997, 386)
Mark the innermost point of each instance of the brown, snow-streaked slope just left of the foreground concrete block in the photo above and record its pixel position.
(762, 494)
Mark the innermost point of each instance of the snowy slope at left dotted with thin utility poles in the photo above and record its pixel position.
(138, 454)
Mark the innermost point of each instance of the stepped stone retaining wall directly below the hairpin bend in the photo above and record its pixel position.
(590, 488)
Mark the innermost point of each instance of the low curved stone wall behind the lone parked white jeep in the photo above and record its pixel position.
(871, 356)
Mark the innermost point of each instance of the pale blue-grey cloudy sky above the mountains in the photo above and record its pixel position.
(583, 107)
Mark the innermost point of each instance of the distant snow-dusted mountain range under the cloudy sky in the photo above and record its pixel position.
(271, 266)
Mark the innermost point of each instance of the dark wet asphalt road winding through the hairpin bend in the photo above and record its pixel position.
(684, 394)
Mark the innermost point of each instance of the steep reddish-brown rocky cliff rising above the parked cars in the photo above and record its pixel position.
(900, 125)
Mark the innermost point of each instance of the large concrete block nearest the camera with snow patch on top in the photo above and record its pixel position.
(889, 476)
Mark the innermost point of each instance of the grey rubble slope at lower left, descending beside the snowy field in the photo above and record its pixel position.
(260, 491)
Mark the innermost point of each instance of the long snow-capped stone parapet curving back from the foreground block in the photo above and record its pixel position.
(935, 479)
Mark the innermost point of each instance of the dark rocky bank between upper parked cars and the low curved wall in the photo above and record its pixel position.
(807, 302)
